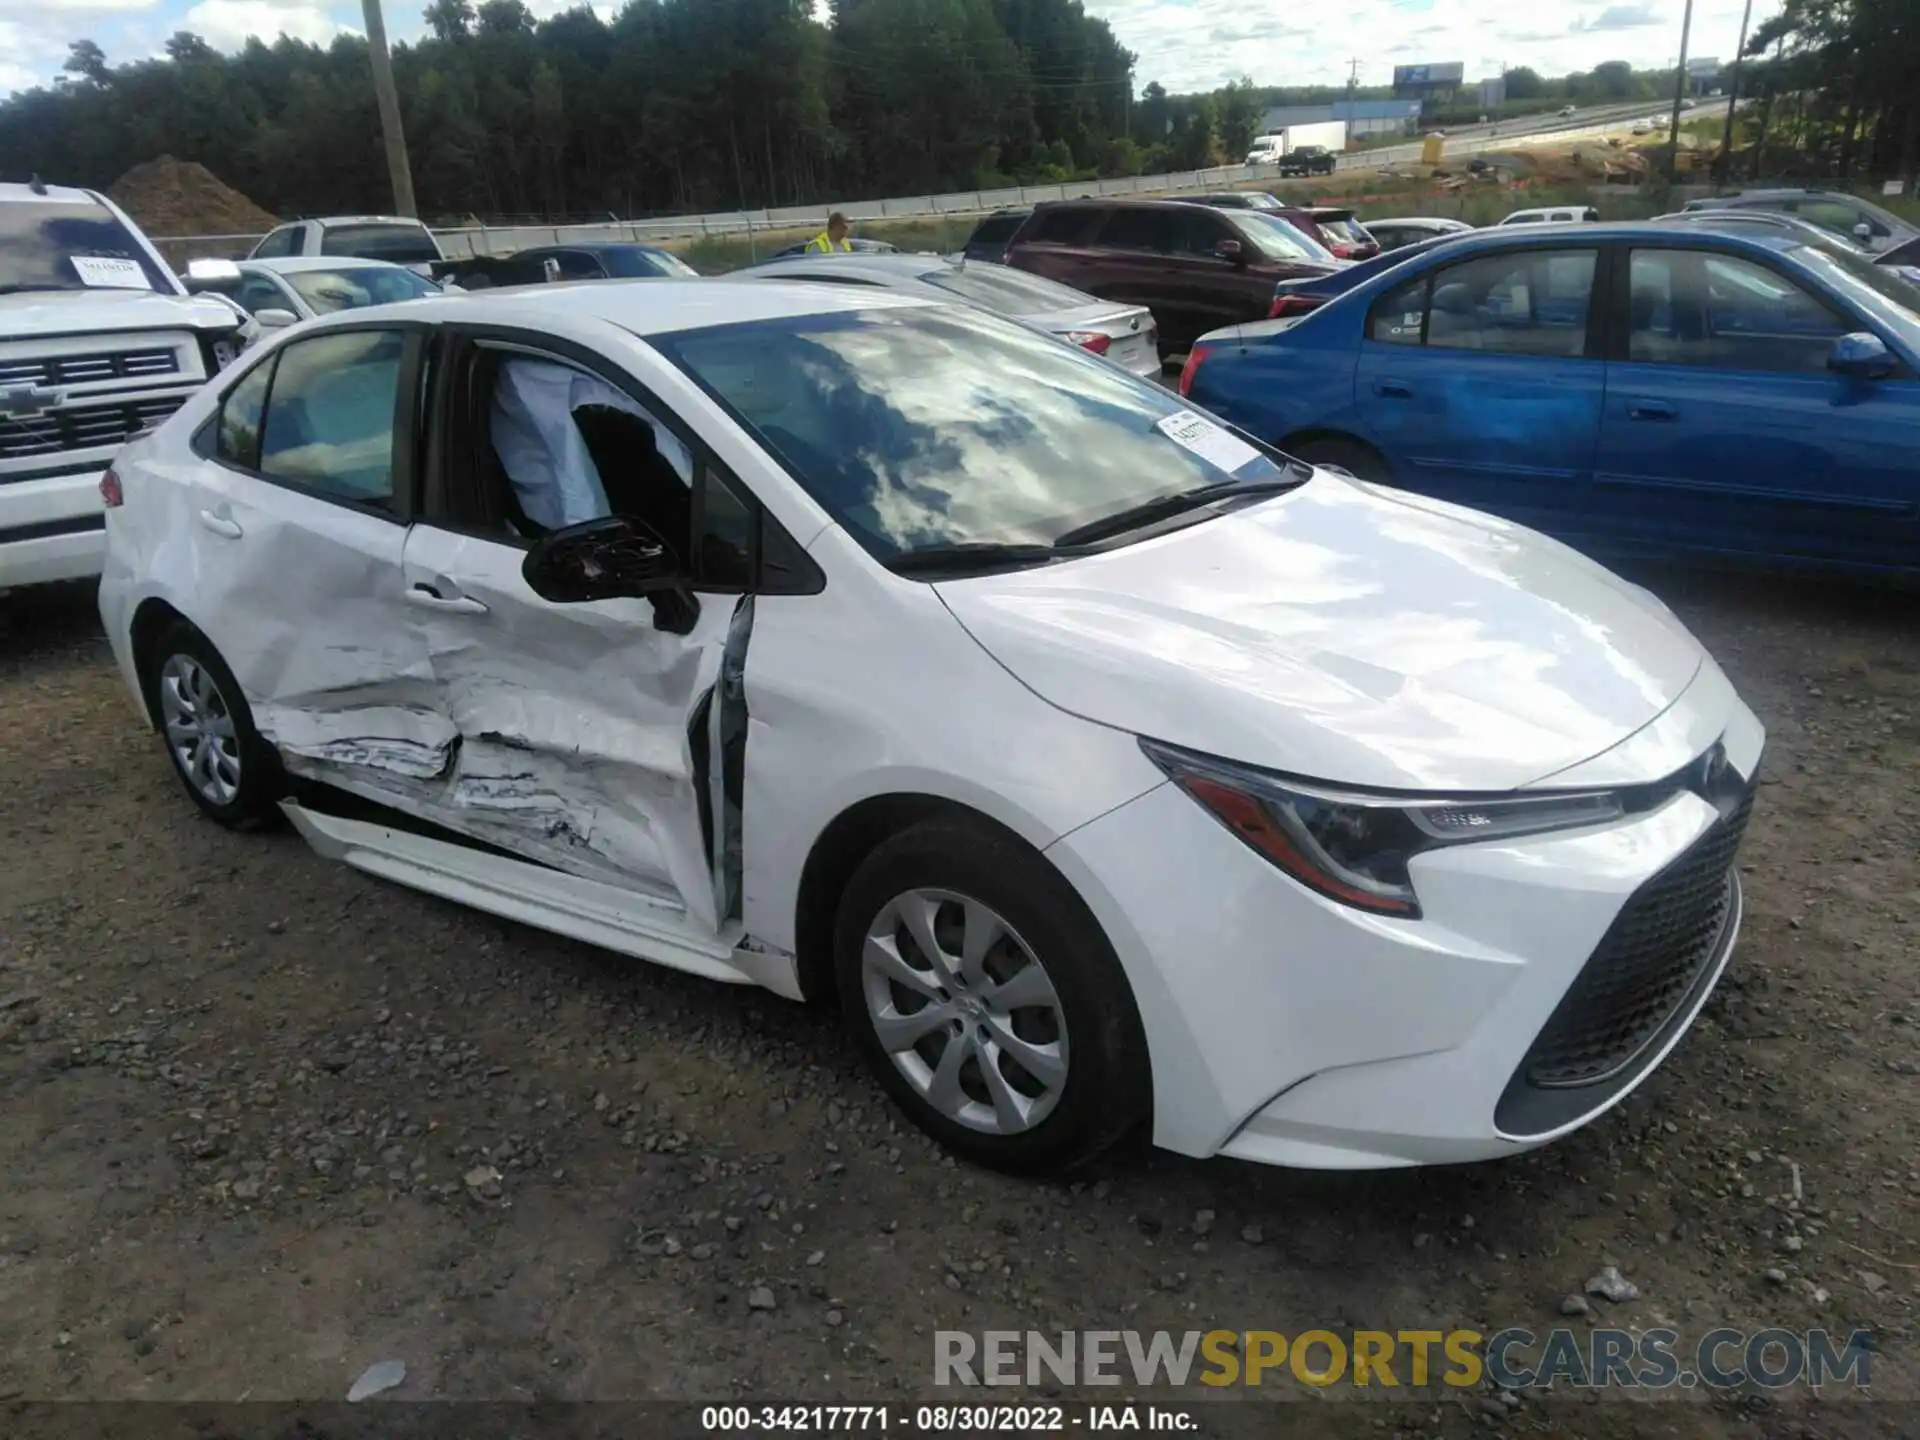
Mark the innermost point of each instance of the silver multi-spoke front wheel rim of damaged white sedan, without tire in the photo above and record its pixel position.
(965, 1011)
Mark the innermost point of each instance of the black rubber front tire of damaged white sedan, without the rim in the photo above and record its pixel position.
(1107, 1092)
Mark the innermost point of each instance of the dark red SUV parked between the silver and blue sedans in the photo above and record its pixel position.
(1191, 266)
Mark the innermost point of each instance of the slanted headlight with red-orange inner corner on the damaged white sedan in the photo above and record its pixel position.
(1355, 848)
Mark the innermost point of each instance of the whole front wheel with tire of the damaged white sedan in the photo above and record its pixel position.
(988, 1001)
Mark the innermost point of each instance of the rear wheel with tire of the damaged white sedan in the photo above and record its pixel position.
(224, 763)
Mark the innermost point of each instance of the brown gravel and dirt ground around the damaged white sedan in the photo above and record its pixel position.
(266, 1122)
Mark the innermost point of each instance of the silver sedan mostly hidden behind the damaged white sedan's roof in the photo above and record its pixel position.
(1124, 333)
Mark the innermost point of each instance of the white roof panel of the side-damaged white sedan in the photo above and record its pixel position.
(658, 306)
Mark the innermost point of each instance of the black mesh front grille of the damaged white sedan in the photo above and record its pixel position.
(1644, 967)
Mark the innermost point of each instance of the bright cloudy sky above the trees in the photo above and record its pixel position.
(1182, 43)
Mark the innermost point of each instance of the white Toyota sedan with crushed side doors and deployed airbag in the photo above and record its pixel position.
(1111, 769)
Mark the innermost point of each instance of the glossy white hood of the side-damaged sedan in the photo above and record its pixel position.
(1345, 635)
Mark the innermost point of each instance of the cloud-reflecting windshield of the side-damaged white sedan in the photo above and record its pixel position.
(930, 427)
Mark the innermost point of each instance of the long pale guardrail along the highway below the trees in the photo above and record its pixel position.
(961, 204)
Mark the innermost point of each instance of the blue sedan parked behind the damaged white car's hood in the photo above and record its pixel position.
(1633, 389)
